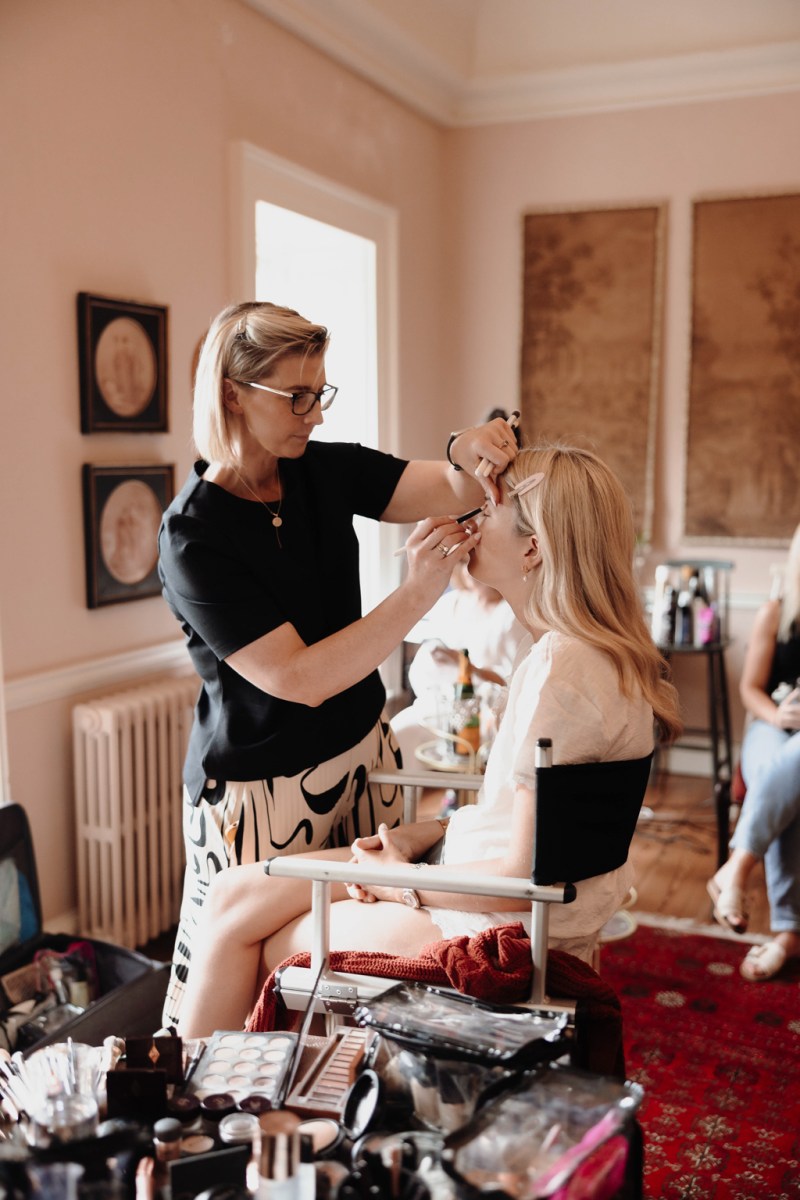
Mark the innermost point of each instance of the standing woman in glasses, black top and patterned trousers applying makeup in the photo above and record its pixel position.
(260, 562)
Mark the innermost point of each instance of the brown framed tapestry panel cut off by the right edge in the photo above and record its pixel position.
(744, 392)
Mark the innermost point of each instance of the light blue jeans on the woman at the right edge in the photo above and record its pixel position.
(769, 826)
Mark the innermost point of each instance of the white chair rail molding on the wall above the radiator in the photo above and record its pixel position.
(117, 670)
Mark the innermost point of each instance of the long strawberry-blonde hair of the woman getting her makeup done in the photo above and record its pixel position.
(586, 589)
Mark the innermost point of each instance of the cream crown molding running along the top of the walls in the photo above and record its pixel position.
(368, 44)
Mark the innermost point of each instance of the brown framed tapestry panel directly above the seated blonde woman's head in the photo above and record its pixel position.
(593, 297)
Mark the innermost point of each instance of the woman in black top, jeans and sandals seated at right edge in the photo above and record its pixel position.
(769, 826)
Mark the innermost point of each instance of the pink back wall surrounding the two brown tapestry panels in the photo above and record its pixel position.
(651, 155)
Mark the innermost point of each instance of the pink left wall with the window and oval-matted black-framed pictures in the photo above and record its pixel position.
(116, 123)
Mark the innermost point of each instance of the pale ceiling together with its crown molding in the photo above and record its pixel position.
(478, 62)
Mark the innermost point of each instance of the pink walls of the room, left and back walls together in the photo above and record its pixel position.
(116, 125)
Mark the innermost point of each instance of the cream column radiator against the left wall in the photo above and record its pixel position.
(129, 760)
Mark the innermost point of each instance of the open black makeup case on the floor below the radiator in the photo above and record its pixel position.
(104, 991)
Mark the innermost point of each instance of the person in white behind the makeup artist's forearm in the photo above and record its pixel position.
(470, 616)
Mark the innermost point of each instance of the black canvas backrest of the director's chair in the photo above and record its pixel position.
(586, 817)
